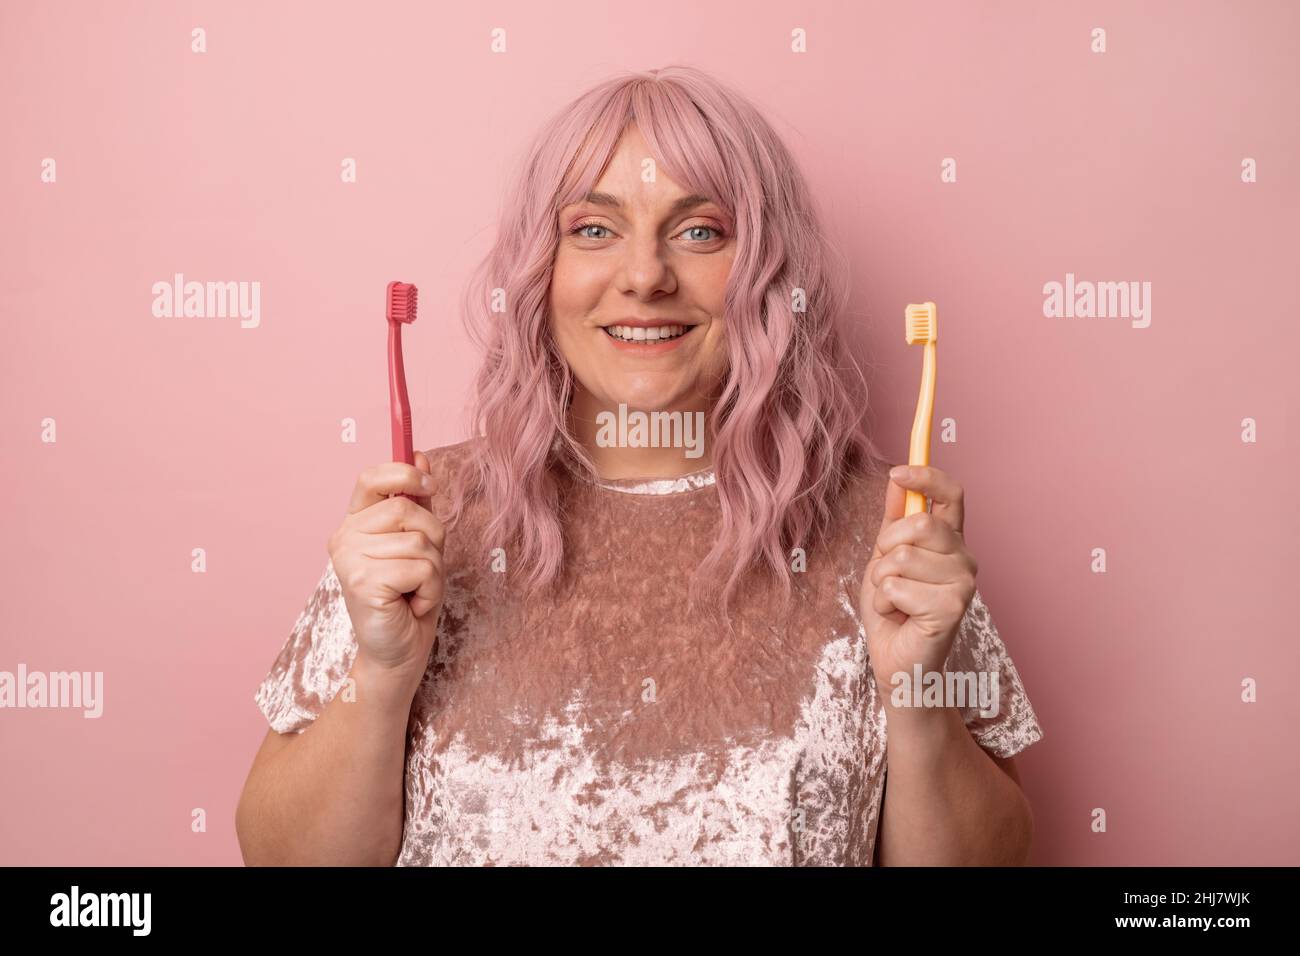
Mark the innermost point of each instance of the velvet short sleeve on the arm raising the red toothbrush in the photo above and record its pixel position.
(315, 661)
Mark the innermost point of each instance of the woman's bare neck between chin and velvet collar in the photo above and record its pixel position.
(634, 444)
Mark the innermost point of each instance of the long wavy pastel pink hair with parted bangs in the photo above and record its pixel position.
(787, 427)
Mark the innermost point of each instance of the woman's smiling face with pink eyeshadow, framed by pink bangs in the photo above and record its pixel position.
(643, 256)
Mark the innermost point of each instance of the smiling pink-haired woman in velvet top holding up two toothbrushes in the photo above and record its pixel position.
(588, 644)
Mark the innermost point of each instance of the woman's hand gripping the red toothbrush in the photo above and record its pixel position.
(385, 550)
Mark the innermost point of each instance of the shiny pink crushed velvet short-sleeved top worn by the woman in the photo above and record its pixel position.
(610, 728)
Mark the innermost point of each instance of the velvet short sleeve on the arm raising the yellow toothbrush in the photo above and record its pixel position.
(978, 650)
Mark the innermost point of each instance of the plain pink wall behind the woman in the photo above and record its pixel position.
(1074, 434)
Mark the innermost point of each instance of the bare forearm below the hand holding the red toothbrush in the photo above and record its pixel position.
(335, 794)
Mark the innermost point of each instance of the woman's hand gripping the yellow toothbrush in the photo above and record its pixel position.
(920, 579)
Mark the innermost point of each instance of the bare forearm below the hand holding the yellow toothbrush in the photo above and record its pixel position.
(947, 803)
